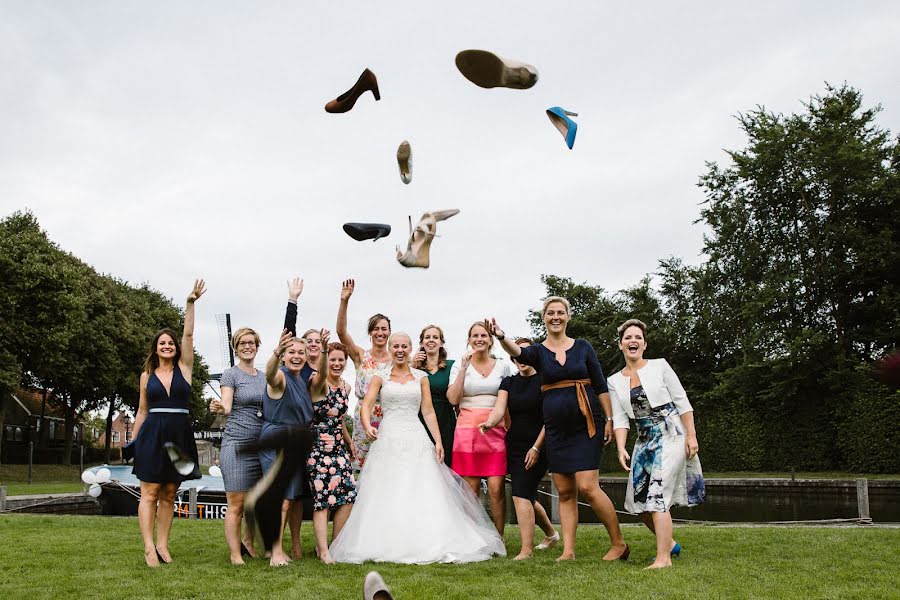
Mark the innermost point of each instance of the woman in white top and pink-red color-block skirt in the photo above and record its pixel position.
(474, 383)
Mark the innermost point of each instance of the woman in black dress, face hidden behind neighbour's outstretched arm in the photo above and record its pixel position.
(519, 401)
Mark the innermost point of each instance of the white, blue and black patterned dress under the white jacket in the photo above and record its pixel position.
(661, 474)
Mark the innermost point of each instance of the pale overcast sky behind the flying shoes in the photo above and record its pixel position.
(161, 141)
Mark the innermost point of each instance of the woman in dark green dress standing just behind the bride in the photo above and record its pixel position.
(432, 358)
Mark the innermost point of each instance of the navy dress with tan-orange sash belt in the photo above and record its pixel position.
(573, 426)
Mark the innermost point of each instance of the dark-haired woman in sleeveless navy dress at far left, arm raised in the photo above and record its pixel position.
(163, 417)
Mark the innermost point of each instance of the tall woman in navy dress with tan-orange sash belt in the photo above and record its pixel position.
(575, 400)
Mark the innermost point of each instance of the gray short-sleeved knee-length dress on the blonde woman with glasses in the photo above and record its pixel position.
(241, 470)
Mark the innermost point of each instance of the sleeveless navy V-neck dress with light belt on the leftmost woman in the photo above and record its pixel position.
(167, 421)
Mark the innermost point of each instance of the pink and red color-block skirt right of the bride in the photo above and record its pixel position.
(474, 454)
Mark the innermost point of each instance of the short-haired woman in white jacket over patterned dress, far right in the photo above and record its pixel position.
(665, 469)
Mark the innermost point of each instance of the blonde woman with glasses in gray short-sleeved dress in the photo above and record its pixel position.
(243, 389)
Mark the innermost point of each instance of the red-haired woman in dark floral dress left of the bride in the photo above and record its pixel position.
(330, 465)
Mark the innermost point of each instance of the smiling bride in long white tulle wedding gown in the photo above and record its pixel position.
(410, 507)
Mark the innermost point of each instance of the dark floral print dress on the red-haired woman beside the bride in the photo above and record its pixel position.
(329, 466)
